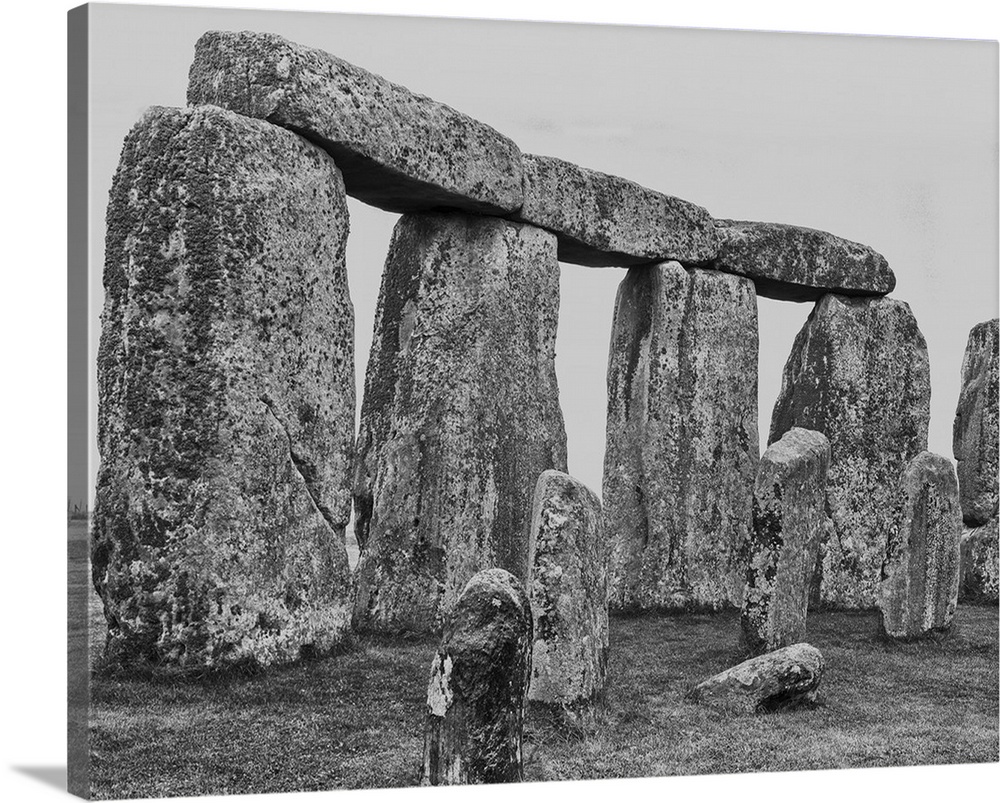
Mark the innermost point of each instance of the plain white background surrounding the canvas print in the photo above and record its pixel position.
(33, 647)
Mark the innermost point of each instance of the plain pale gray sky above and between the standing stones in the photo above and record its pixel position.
(888, 141)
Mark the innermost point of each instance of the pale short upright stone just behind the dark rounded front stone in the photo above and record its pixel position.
(568, 592)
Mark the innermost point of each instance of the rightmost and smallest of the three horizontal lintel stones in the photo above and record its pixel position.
(793, 263)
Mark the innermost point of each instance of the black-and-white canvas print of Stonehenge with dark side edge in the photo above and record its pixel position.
(476, 402)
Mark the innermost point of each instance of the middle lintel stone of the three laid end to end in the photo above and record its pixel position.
(604, 220)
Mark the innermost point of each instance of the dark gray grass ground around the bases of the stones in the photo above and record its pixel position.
(355, 719)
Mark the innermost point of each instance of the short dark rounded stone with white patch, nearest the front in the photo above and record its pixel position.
(478, 686)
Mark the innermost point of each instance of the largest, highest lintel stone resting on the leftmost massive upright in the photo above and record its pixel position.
(398, 150)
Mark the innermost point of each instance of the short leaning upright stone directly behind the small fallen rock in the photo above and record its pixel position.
(789, 517)
